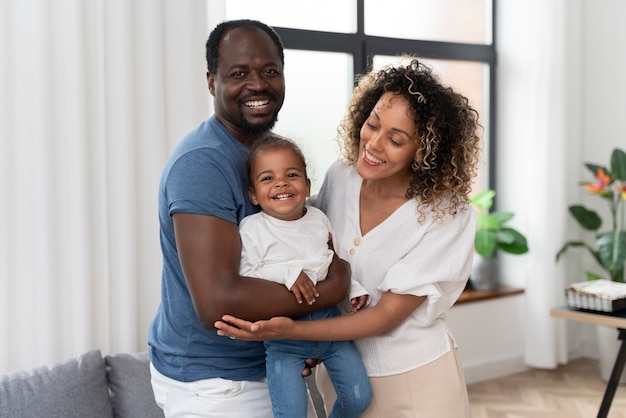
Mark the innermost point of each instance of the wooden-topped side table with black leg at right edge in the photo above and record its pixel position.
(615, 319)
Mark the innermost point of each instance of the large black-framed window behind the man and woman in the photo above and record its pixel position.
(327, 42)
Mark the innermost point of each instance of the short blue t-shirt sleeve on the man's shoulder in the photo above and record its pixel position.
(197, 184)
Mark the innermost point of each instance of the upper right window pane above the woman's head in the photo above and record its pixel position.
(465, 21)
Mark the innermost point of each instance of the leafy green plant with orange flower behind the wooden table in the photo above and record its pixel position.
(610, 246)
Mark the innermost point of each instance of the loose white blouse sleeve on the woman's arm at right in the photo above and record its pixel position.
(437, 267)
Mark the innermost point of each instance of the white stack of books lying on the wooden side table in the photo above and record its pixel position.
(597, 295)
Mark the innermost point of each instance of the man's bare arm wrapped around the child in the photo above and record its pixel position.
(209, 250)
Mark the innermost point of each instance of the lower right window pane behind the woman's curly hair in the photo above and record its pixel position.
(471, 79)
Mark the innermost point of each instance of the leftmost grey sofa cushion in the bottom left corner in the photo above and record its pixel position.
(75, 388)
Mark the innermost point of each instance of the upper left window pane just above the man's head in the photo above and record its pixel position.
(320, 15)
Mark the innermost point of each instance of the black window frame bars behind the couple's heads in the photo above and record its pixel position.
(363, 47)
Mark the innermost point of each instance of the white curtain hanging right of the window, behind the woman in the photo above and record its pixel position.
(539, 142)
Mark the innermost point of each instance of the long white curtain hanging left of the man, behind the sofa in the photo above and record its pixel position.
(94, 94)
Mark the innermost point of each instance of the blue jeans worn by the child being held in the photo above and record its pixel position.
(288, 391)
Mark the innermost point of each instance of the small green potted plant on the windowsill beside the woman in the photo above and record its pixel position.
(492, 235)
